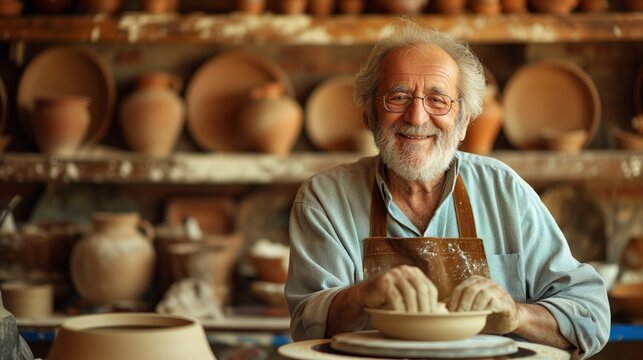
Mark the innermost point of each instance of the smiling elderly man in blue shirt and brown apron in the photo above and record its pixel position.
(420, 89)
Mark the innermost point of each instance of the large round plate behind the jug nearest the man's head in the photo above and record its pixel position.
(217, 91)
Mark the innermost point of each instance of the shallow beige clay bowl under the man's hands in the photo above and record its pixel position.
(428, 327)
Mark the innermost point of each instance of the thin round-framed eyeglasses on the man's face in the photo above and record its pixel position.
(397, 101)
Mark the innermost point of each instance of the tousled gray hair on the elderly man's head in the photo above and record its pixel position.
(471, 86)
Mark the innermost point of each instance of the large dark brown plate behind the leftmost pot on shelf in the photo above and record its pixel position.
(70, 70)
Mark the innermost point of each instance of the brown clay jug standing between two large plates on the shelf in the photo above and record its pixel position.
(152, 116)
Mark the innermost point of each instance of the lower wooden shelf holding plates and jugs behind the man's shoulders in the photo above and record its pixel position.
(249, 168)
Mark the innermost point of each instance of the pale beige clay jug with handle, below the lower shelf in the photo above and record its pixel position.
(114, 261)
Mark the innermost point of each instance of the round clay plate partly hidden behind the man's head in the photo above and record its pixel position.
(333, 120)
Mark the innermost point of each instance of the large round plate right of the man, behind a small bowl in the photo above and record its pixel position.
(549, 95)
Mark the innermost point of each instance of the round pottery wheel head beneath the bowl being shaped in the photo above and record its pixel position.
(374, 343)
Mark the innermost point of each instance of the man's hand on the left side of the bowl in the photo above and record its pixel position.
(403, 288)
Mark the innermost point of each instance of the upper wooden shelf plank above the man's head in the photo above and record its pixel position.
(236, 28)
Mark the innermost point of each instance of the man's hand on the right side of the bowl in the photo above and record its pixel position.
(480, 293)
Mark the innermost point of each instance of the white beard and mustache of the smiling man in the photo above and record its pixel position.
(409, 161)
